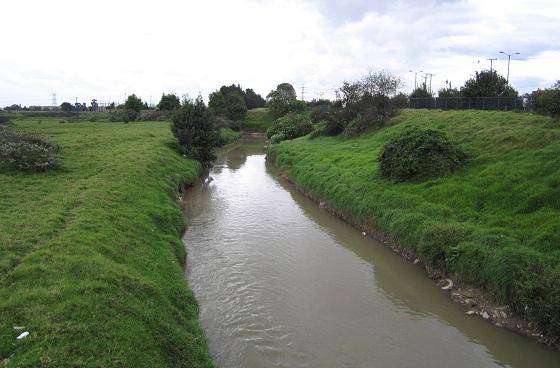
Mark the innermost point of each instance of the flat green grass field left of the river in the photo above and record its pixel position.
(90, 253)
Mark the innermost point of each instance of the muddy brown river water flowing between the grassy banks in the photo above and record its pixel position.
(282, 283)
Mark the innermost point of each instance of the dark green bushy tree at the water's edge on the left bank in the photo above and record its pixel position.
(193, 126)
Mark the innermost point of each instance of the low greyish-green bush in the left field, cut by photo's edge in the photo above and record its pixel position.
(25, 152)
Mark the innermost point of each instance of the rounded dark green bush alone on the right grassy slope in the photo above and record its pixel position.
(416, 154)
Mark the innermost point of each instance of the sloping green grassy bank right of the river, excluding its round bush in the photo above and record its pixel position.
(495, 223)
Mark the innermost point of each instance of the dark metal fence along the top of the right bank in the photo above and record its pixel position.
(464, 103)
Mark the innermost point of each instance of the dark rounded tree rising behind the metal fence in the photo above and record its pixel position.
(487, 84)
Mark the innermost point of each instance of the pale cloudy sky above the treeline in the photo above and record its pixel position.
(106, 49)
